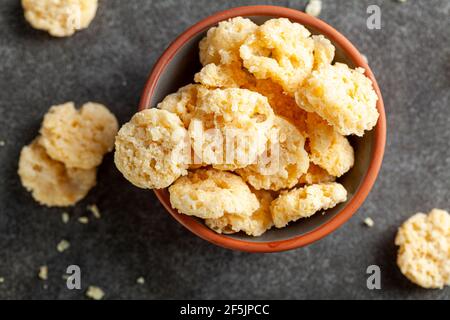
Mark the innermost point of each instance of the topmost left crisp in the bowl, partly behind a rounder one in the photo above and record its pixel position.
(221, 44)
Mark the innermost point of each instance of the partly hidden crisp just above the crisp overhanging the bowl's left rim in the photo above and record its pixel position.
(182, 102)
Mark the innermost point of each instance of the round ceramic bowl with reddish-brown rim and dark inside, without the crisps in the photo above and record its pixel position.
(176, 68)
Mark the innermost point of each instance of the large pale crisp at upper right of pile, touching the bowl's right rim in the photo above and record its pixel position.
(342, 96)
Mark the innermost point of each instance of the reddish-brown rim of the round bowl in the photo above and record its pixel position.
(366, 184)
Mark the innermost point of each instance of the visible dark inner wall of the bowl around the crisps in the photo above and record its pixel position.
(180, 71)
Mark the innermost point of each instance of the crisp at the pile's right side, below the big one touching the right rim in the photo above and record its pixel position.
(328, 149)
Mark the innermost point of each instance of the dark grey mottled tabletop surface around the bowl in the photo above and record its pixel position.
(109, 63)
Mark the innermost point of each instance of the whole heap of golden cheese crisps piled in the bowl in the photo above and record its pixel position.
(252, 85)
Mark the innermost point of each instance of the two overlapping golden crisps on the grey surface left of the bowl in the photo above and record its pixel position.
(59, 167)
